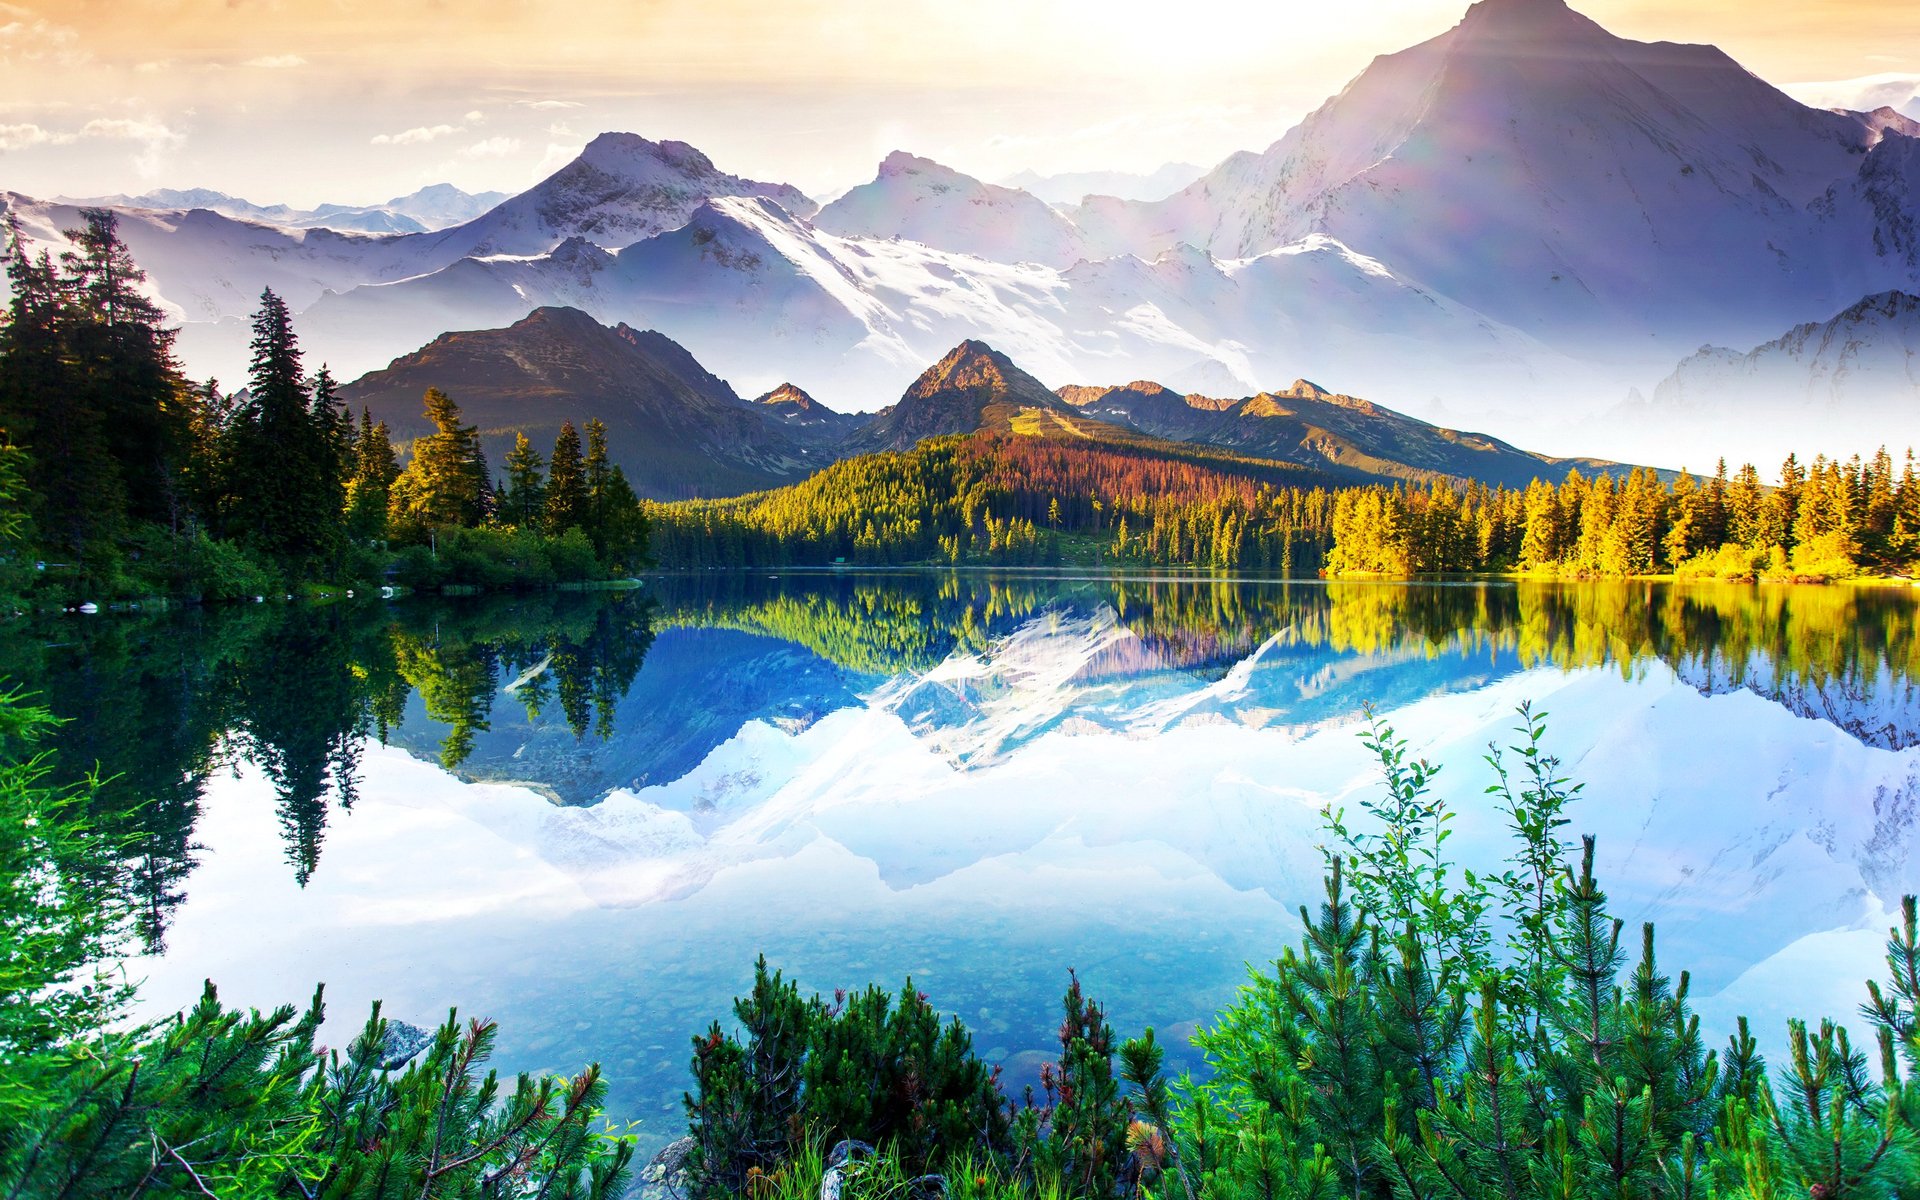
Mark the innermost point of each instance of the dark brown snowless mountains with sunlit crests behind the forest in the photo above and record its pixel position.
(679, 431)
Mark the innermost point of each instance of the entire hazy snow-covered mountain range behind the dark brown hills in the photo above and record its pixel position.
(1514, 224)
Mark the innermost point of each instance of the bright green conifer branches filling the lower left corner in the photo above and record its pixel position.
(224, 1103)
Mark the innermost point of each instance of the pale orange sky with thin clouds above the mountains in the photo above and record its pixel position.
(358, 101)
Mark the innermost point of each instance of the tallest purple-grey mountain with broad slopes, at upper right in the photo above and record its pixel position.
(1591, 191)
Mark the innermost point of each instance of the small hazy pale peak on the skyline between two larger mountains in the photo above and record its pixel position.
(942, 208)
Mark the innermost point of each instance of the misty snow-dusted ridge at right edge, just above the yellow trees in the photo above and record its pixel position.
(1850, 383)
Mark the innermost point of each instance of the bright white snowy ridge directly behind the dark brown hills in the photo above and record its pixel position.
(765, 297)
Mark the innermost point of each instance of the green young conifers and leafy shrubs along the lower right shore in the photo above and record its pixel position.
(1439, 1034)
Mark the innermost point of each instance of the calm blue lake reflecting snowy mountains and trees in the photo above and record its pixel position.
(587, 815)
